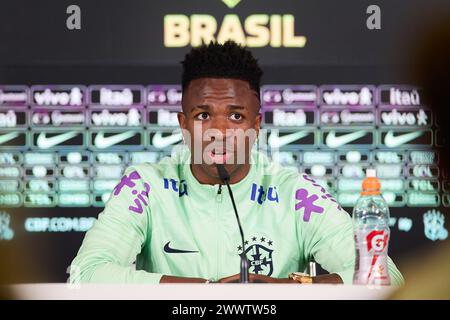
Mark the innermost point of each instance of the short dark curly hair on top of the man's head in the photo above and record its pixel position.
(228, 60)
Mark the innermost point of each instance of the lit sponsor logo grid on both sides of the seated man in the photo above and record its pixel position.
(68, 145)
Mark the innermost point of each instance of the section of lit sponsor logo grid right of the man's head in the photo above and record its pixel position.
(335, 132)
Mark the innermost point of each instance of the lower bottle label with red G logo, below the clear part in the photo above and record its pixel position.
(371, 264)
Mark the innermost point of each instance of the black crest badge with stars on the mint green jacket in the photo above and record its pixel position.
(259, 255)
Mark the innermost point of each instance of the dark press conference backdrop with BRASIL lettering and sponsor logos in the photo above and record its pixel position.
(77, 107)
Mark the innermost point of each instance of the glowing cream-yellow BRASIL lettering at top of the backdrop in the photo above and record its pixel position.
(258, 30)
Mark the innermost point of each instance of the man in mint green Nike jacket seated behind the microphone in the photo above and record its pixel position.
(176, 218)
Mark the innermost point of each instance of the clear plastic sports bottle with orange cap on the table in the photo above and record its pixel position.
(371, 230)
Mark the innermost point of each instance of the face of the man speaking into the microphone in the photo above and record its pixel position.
(223, 120)
